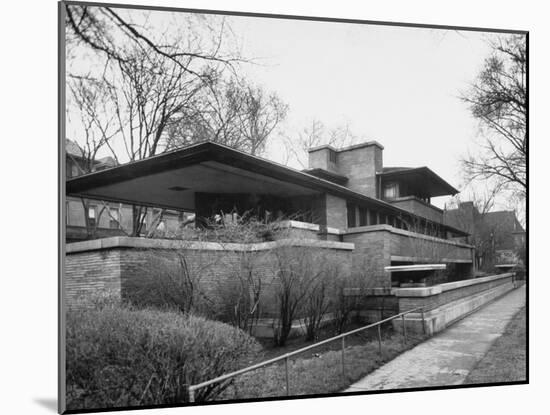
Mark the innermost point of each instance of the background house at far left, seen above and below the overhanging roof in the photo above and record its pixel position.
(105, 218)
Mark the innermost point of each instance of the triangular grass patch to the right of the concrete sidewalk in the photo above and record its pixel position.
(506, 359)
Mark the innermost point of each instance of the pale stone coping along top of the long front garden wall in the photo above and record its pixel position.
(147, 243)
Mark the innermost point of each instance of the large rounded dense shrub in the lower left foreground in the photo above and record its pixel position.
(122, 356)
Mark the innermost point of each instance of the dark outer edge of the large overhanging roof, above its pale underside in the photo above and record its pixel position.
(208, 150)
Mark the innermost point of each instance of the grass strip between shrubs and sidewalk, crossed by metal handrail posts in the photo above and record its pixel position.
(319, 371)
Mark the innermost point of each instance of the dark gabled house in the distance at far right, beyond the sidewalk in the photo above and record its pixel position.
(498, 237)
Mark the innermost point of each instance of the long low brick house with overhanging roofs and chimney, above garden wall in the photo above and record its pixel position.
(346, 195)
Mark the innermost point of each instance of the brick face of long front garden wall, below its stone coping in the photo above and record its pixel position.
(216, 272)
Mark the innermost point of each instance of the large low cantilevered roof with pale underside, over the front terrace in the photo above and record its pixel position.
(171, 179)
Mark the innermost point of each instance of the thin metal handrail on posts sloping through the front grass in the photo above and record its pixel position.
(192, 388)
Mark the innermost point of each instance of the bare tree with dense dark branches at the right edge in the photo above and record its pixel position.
(498, 99)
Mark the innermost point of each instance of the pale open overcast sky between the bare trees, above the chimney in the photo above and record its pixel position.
(396, 85)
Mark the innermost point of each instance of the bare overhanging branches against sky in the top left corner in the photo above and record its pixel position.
(109, 30)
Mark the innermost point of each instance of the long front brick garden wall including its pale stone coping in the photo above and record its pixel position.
(119, 265)
